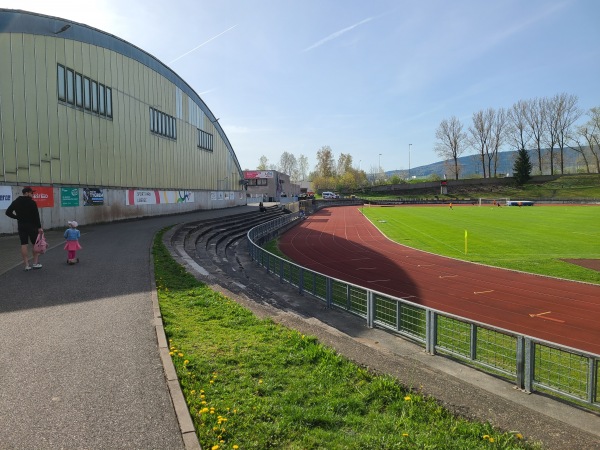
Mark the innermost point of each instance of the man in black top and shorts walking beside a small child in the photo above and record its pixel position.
(25, 211)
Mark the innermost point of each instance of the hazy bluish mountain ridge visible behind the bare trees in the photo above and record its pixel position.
(471, 165)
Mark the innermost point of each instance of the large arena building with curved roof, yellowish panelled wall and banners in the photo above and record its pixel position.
(102, 130)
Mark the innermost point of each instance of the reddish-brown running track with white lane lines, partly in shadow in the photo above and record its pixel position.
(340, 242)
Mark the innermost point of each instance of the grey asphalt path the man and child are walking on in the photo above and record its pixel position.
(80, 366)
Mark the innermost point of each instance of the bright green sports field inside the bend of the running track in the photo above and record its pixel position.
(532, 239)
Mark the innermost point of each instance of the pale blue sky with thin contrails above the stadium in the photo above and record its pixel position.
(372, 79)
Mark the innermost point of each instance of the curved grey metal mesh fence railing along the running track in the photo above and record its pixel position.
(532, 364)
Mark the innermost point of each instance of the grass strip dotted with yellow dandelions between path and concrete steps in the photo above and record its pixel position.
(253, 384)
